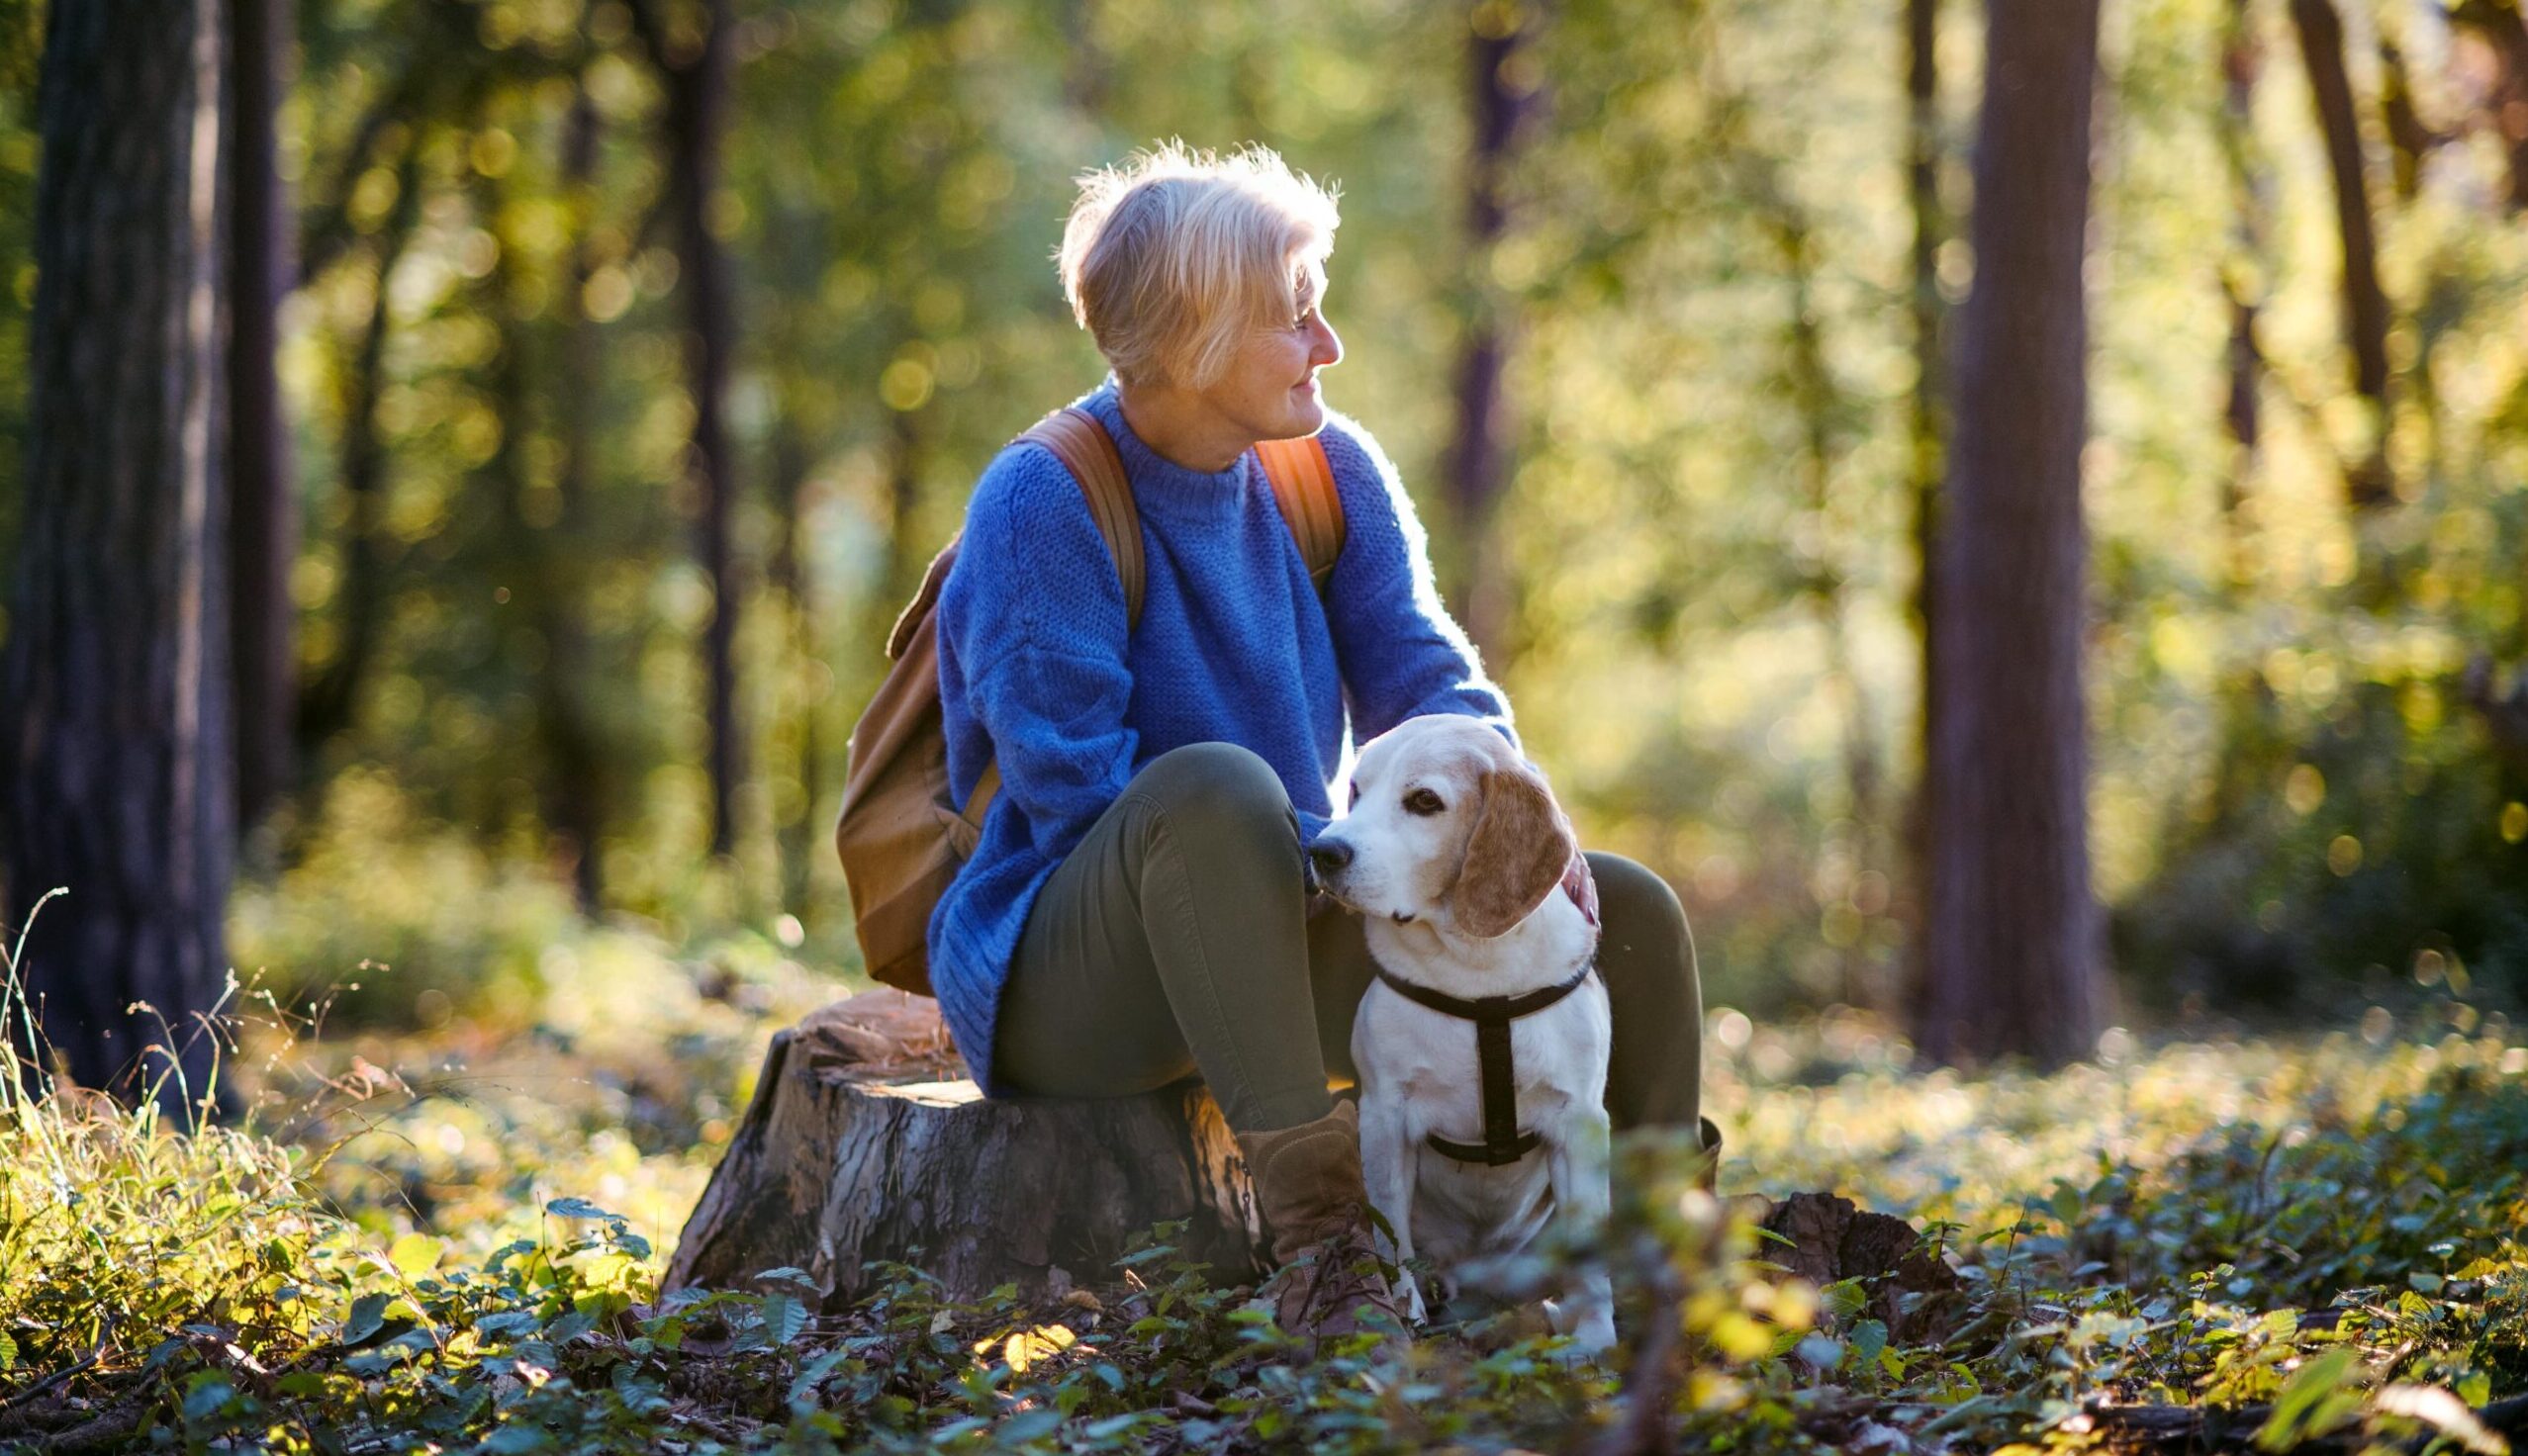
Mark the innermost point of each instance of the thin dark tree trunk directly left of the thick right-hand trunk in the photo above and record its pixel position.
(1925, 423)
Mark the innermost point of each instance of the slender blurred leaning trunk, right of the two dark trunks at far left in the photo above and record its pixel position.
(330, 701)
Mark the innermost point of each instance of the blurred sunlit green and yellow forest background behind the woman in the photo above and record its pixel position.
(628, 360)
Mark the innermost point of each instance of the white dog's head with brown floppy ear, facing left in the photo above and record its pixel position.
(1447, 825)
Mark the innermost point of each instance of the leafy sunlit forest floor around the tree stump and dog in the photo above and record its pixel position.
(451, 1240)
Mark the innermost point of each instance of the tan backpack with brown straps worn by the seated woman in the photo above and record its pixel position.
(901, 833)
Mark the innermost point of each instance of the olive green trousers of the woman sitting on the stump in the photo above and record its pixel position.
(1179, 942)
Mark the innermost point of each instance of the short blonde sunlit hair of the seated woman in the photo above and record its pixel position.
(1177, 257)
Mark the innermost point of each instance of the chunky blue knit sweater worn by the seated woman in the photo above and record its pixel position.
(1040, 671)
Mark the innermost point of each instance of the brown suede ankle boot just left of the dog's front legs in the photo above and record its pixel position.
(1316, 1212)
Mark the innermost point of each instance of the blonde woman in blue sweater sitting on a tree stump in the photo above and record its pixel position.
(1136, 909)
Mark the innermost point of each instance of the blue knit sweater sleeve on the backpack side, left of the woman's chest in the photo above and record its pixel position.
(1033, 621)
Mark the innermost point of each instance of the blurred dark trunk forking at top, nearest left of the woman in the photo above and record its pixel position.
(694, 67)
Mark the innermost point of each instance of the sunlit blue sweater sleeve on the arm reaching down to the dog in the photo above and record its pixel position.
(1399, 648)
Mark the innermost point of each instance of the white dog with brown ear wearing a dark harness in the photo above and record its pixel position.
(1483, 1045)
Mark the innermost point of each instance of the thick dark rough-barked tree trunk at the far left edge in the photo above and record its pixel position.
(115, 717)
